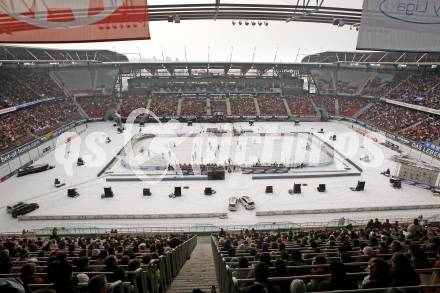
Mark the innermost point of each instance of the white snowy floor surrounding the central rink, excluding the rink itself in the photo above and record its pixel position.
(129, 200)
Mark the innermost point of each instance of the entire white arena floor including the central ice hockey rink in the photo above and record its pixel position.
(265, 142)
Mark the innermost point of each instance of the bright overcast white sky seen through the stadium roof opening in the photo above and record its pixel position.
(280, 39)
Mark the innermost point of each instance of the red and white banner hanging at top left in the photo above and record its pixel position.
(58, 21)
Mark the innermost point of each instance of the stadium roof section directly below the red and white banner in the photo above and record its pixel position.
(41, 55)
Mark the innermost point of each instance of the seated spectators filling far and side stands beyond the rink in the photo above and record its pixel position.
(21, 86)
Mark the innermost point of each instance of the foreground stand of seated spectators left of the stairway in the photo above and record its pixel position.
(139, 263)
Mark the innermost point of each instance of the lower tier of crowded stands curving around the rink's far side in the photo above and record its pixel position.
(415, 125)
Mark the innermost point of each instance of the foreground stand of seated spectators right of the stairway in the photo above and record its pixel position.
(328, 259)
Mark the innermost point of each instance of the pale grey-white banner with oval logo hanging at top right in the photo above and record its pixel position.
(400, 25)
